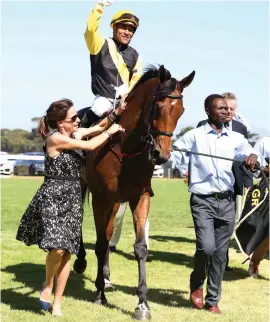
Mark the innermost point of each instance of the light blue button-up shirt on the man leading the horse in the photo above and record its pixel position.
(209, 175)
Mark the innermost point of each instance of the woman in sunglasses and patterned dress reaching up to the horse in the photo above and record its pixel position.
(53, 218)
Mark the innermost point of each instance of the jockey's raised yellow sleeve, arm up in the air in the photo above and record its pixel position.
(93, 38)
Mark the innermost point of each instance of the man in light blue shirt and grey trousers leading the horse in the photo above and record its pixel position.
(212, 200)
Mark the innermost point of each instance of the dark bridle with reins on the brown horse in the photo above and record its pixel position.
(152, 133)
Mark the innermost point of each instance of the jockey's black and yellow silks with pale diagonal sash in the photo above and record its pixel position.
(111, 65)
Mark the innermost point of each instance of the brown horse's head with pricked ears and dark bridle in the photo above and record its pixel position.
(165, 110)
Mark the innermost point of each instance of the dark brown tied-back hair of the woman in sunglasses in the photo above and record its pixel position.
(57, 111)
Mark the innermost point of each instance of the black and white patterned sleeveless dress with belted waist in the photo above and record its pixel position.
(53, 218)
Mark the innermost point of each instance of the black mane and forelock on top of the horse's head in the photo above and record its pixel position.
(151, 72)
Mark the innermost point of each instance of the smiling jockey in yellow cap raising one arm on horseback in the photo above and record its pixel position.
(115, 66)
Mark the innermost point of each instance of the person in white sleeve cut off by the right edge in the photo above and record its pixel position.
(263, 148)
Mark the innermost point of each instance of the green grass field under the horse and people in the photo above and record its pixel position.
(172, 243)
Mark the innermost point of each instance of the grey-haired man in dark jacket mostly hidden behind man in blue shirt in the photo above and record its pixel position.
(243, 178)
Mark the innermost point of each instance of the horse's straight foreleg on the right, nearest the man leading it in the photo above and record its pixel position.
(140, 209)
